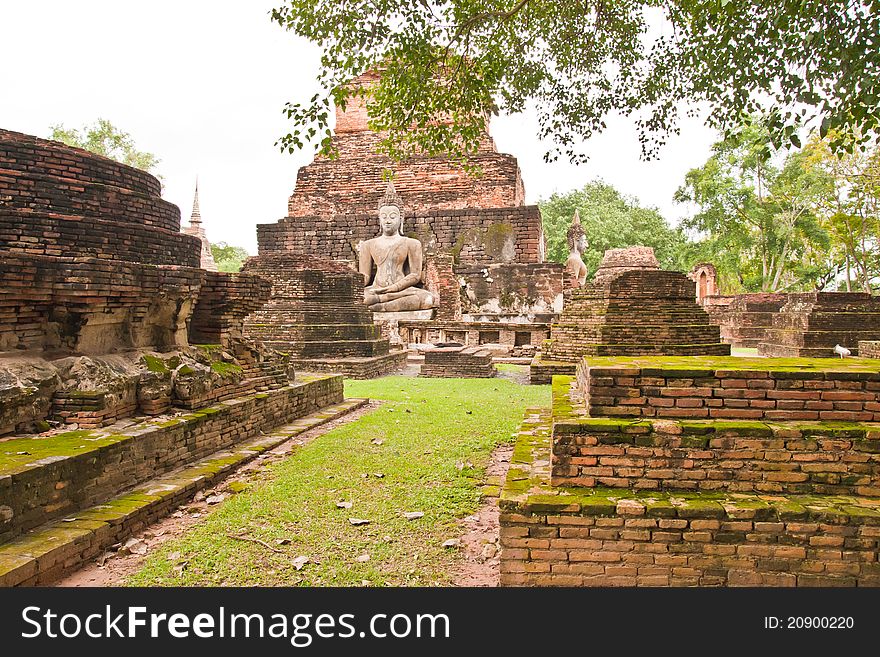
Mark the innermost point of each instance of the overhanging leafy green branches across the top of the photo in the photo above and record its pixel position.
(445, 63)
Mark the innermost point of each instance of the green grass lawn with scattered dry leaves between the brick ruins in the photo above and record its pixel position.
(436, 436)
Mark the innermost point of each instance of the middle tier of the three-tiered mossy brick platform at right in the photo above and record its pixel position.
(667, 455)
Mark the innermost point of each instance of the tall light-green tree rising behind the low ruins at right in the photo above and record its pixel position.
(758, 218)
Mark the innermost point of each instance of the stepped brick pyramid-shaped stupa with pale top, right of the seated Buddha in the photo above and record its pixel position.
(631, 308)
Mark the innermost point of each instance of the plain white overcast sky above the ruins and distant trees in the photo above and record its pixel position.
(201, 84)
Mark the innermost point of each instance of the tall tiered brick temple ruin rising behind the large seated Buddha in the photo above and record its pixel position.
(484, 247)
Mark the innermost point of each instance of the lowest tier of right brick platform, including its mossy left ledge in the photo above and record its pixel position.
(576, 536)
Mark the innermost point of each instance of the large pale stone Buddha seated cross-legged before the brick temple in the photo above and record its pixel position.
(397, 260)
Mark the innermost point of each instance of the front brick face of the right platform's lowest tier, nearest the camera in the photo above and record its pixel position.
(632, 544)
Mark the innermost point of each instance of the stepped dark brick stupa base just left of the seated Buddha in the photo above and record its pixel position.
(317, 315)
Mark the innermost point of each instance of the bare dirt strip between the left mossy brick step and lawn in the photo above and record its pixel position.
(113, 567)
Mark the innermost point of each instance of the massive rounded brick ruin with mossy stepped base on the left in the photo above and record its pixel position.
(107, 320)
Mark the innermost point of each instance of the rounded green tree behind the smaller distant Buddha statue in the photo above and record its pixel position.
(610, 220)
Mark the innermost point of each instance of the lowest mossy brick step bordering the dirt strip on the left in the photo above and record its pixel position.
(47, 553)
